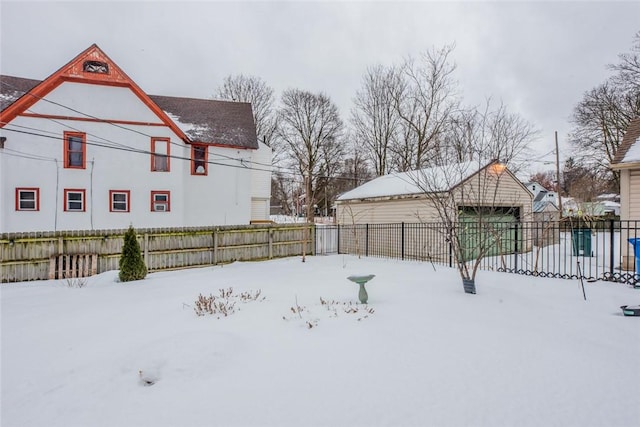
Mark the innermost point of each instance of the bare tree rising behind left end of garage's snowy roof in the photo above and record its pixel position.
(374, 116)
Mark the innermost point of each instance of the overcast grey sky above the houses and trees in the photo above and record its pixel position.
(536, 57)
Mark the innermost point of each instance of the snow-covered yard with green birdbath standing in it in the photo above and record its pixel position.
(524, 351)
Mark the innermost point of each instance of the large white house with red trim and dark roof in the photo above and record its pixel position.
(87, 148)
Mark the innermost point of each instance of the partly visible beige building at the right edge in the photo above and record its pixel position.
(627, 163)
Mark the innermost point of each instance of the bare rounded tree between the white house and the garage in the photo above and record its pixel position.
(310, 130)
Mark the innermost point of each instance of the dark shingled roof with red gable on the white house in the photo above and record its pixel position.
(223, 123)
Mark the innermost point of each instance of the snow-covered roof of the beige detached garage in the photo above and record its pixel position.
(441, 178)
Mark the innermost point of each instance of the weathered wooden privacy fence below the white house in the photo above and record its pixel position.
(38, 256)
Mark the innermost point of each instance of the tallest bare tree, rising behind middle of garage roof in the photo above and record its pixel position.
(424, 99)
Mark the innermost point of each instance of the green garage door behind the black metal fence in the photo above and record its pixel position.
(488, 233)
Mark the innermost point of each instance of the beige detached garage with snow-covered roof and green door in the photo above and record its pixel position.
(490, 190)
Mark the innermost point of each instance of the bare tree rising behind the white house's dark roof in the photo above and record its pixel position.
(254, 90)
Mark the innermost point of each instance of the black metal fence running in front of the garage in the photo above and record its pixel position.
(568, 249)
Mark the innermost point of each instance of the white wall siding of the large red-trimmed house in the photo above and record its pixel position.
(221, 197)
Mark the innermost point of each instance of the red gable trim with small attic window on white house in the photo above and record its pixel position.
(73, 72)
